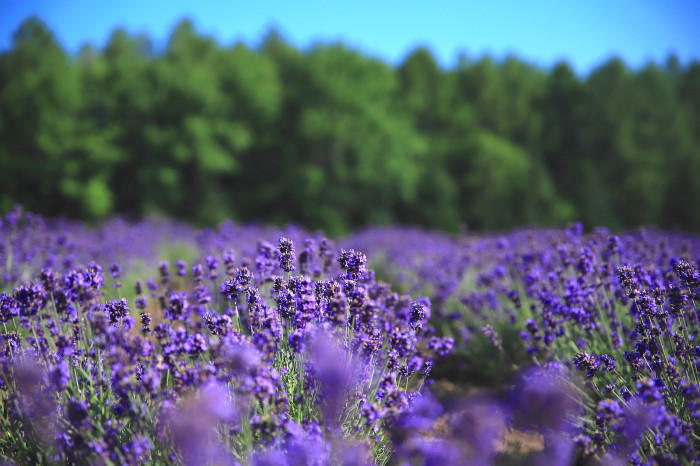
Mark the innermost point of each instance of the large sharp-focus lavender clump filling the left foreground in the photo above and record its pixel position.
(232, 360)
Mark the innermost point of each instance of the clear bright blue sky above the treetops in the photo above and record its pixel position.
(584, 32)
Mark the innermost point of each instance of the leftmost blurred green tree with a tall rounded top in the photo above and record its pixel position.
(40, 98)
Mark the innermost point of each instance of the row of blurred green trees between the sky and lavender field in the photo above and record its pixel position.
(332, 138)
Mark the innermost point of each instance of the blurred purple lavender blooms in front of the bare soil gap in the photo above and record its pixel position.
(475, 429)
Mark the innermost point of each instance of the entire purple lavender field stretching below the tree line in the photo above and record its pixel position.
(158, 343)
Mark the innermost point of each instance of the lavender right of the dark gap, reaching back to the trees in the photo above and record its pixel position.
(620, 310)
